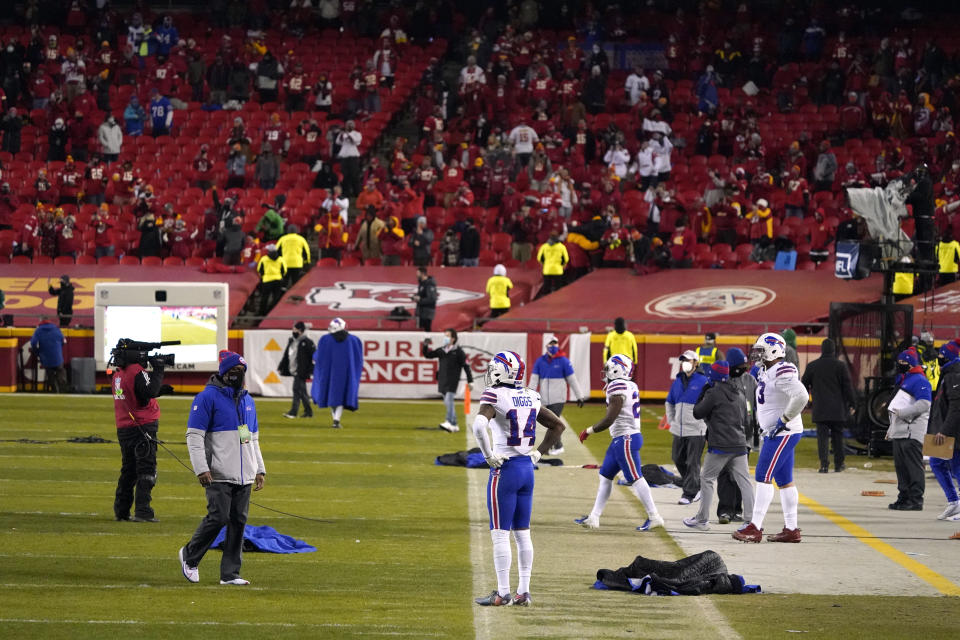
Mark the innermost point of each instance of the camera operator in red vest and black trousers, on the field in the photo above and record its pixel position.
(135, 394)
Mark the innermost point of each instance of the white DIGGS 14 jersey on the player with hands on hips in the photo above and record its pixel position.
(515, 425)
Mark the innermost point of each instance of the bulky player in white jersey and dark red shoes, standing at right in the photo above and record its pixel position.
(780, 399)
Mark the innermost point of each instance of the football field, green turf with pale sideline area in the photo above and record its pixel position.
(403, 546)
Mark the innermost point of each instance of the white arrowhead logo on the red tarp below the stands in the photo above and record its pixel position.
(379, 296)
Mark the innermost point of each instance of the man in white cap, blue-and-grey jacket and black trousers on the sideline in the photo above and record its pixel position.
(689, 433)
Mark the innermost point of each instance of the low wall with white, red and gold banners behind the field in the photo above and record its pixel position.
(394, 367)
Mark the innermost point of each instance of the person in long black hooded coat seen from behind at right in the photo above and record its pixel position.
(828, 381)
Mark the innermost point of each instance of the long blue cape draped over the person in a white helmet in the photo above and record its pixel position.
(336, 372)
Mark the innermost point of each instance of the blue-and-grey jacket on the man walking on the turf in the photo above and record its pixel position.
(213, 434)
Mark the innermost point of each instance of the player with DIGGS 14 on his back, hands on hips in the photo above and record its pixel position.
(509, 413)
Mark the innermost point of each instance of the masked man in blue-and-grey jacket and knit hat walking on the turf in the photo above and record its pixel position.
(224, 445)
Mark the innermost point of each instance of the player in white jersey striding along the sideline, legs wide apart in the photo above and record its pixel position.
(623, 454)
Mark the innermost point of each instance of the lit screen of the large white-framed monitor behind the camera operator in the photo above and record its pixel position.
(194, 327)
